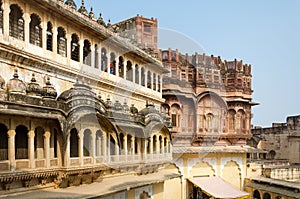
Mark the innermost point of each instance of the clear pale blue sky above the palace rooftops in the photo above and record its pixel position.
(265, 34)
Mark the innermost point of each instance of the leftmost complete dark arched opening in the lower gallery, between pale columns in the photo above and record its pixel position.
(21, 142)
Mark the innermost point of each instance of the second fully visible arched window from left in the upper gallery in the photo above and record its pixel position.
(35, 30)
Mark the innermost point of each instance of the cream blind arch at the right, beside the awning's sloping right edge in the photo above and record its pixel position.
(231, 173)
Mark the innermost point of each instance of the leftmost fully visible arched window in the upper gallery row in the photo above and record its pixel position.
(16, 22)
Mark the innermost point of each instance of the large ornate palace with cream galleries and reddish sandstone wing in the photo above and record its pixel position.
(90, 109)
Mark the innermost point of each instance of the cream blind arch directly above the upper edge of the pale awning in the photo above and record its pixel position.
(202, 169)
